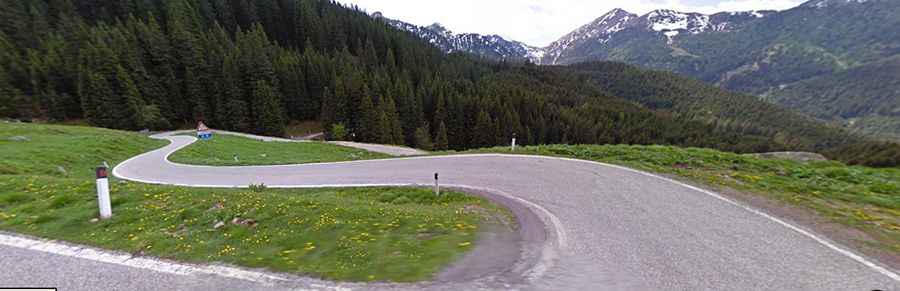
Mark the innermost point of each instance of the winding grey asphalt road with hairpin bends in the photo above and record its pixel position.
(609, 228)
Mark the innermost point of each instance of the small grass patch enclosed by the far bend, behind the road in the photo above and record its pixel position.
(222, 149)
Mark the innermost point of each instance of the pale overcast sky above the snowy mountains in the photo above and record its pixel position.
(540, 22)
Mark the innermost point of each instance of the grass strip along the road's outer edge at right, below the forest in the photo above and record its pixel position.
(864, 198)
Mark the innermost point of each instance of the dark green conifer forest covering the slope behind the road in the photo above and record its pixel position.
(254, 66)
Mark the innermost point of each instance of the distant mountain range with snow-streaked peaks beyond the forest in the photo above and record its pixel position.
(832, 59)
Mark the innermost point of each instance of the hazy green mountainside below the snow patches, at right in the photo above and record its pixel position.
(837, 63)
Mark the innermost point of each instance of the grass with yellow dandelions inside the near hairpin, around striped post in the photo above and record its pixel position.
(385, 234)
